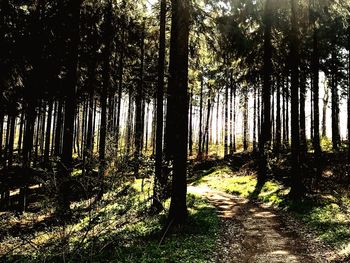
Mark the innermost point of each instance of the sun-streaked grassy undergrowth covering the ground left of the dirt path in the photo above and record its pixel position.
(119, 229)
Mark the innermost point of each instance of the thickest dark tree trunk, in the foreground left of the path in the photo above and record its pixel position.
(178, 85)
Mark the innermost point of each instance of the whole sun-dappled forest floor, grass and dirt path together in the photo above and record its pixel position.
(230, 220)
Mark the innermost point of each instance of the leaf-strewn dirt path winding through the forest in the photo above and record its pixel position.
(253, 233)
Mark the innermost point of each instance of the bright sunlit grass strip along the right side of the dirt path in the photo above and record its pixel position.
(324, 216)
